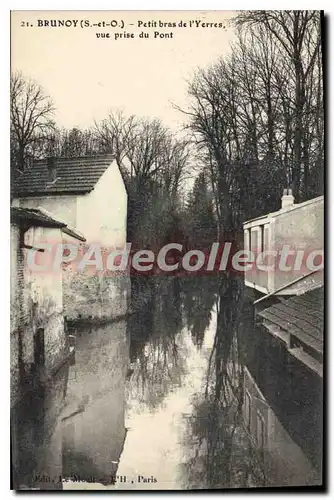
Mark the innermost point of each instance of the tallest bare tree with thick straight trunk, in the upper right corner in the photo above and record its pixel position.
(298, 38)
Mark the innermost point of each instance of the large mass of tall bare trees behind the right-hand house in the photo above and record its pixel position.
(256, 115)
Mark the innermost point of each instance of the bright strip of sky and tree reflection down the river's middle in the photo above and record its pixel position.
(154, 449)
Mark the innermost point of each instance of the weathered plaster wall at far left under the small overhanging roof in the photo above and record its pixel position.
(36, 302)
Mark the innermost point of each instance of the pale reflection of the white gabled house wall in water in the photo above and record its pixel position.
(94, 419)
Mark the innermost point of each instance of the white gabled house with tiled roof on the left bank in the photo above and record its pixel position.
(89, 194)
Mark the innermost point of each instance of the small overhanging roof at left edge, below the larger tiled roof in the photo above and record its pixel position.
(28, 217)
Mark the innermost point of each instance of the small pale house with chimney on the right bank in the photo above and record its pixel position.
(295, 227)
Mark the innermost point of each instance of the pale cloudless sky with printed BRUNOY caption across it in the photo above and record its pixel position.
(87, 76)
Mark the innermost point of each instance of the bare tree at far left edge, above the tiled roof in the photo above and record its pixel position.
(31, 112)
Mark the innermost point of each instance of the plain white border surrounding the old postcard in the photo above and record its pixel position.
(4, 184)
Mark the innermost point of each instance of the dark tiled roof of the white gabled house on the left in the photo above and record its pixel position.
(73, 175)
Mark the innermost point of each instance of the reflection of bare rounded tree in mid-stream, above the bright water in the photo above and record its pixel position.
(156, 361)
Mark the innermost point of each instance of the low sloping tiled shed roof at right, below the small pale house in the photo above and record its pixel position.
(301, 316)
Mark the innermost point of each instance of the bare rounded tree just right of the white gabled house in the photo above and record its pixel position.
(153, 164)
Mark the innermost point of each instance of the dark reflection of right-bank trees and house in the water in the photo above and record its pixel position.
(239, 436)
